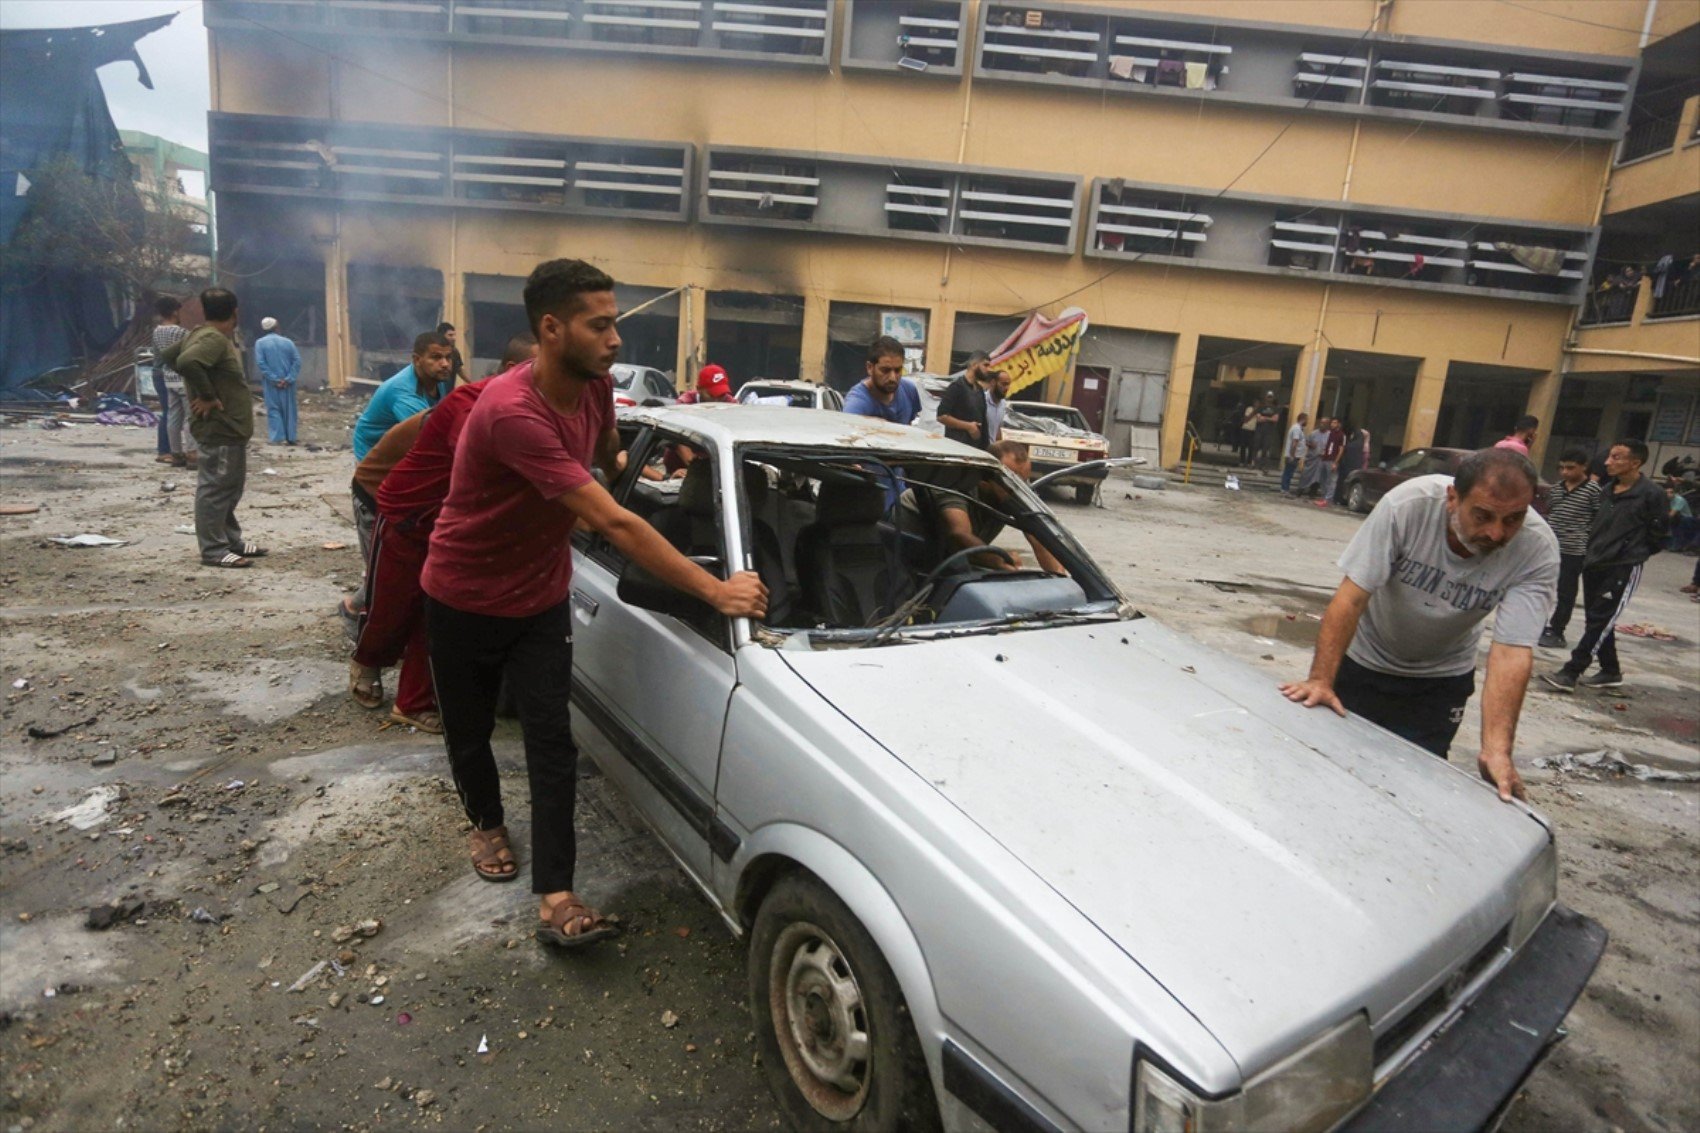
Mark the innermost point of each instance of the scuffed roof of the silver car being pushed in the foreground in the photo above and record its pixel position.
(779, 424)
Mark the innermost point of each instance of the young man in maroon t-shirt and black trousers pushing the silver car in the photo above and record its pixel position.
(501, 569)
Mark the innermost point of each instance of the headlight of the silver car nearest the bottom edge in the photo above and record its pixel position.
(1310, 1091)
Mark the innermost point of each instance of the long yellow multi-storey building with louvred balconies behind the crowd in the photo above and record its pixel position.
(1386, 210)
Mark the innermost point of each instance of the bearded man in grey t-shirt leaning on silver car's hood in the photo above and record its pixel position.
(1400, 639)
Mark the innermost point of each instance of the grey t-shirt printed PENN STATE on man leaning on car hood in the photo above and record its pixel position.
(1427, 603)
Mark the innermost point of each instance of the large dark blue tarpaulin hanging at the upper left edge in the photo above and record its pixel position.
(52, 106)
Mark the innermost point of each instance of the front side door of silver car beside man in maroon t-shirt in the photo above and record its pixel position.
(654, 685)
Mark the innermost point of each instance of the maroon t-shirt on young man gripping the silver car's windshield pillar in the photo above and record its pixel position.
(502, 545)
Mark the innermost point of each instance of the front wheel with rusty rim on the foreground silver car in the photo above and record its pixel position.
(836, 1037)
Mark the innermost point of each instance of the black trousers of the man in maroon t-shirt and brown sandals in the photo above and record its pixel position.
(470, 656)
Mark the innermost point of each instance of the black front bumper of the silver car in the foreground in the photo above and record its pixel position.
(1468, 1073)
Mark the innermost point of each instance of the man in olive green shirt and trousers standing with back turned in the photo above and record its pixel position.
(224, 423)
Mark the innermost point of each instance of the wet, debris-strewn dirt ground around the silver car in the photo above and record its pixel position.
(298, 942)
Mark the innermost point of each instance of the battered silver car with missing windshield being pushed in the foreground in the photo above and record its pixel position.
(1111, 880)
